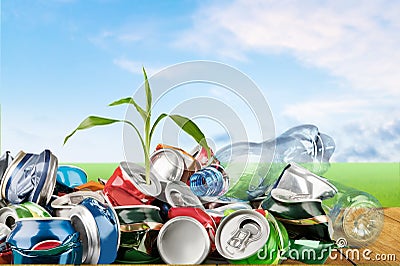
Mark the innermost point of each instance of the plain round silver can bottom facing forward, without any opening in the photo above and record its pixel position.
(183, 240)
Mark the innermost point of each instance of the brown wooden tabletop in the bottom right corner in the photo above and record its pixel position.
(385, 250)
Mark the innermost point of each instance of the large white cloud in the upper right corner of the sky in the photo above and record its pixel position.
(355, 40)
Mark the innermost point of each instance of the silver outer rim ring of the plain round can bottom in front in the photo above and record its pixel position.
(198, 224)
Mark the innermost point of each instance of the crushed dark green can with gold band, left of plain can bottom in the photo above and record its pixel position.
(139, 226)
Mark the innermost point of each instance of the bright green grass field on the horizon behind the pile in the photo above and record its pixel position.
(379, 179)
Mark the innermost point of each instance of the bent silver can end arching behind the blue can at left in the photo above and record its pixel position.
(63, 205)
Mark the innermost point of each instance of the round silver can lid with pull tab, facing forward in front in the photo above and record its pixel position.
(241, 234)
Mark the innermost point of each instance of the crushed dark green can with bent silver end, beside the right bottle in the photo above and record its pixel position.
(296, 201)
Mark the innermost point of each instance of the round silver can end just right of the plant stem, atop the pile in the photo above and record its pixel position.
(168, 164)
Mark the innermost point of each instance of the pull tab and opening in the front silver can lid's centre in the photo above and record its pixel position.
(247, 232)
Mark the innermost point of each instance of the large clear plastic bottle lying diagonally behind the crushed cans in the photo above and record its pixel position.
(251, 168)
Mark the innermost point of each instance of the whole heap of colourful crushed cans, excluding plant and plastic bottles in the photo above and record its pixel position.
(52, 214)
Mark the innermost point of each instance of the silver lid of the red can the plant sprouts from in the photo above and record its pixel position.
(136, 175)
